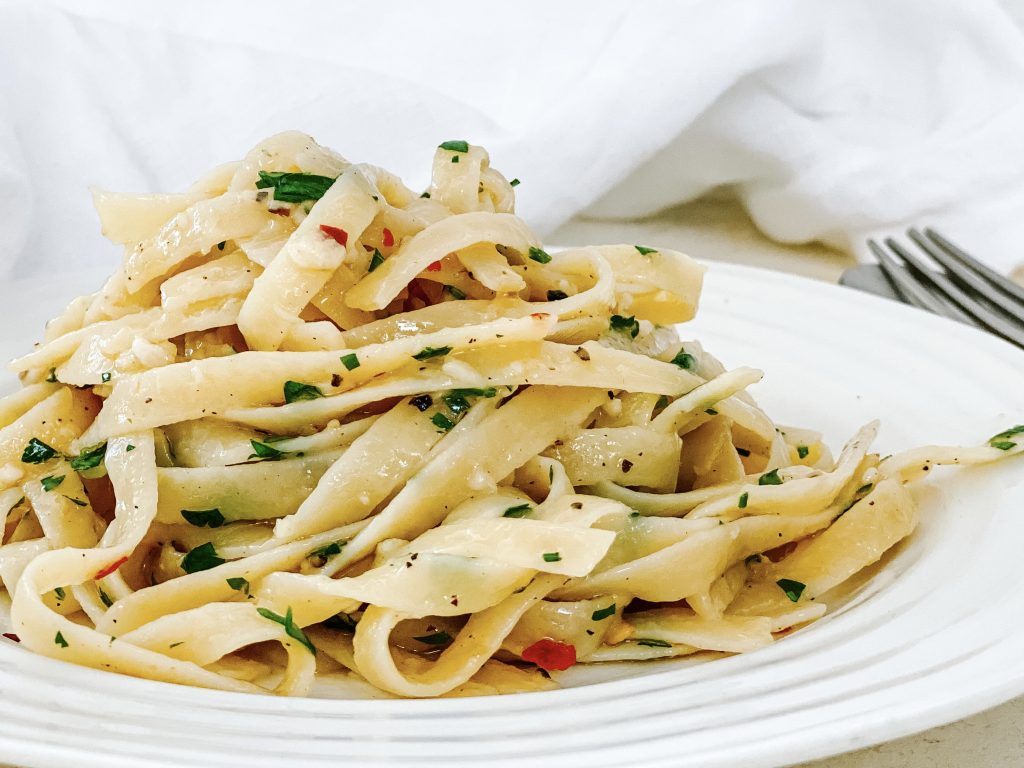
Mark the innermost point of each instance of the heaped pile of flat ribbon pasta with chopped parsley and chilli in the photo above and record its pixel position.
(319, 424)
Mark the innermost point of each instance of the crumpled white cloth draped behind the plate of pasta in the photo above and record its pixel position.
(830, 120)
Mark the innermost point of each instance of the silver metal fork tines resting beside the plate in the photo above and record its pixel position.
(953, 285)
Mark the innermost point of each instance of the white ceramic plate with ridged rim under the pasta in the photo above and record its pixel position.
(933, 638)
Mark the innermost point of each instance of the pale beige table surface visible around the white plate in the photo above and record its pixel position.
(718, 230)
